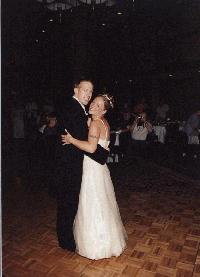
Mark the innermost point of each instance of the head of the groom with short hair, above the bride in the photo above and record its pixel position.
(83, 92)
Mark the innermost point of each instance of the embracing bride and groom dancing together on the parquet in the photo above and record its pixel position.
(88, 218)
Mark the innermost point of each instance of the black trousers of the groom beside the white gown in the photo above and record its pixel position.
(69, 182)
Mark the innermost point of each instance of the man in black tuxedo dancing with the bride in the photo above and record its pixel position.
(70, 162)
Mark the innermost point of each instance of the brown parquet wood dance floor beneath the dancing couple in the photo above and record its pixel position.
(160, 209)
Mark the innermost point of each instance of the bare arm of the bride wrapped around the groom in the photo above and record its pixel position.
(91, 144)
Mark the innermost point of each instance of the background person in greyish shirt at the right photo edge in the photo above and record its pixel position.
(192, 128)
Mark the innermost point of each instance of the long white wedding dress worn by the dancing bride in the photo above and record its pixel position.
(98, 229)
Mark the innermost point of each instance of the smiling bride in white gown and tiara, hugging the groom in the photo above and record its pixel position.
(98, 228)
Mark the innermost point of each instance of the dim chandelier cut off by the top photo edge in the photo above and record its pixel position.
(62, 5)
